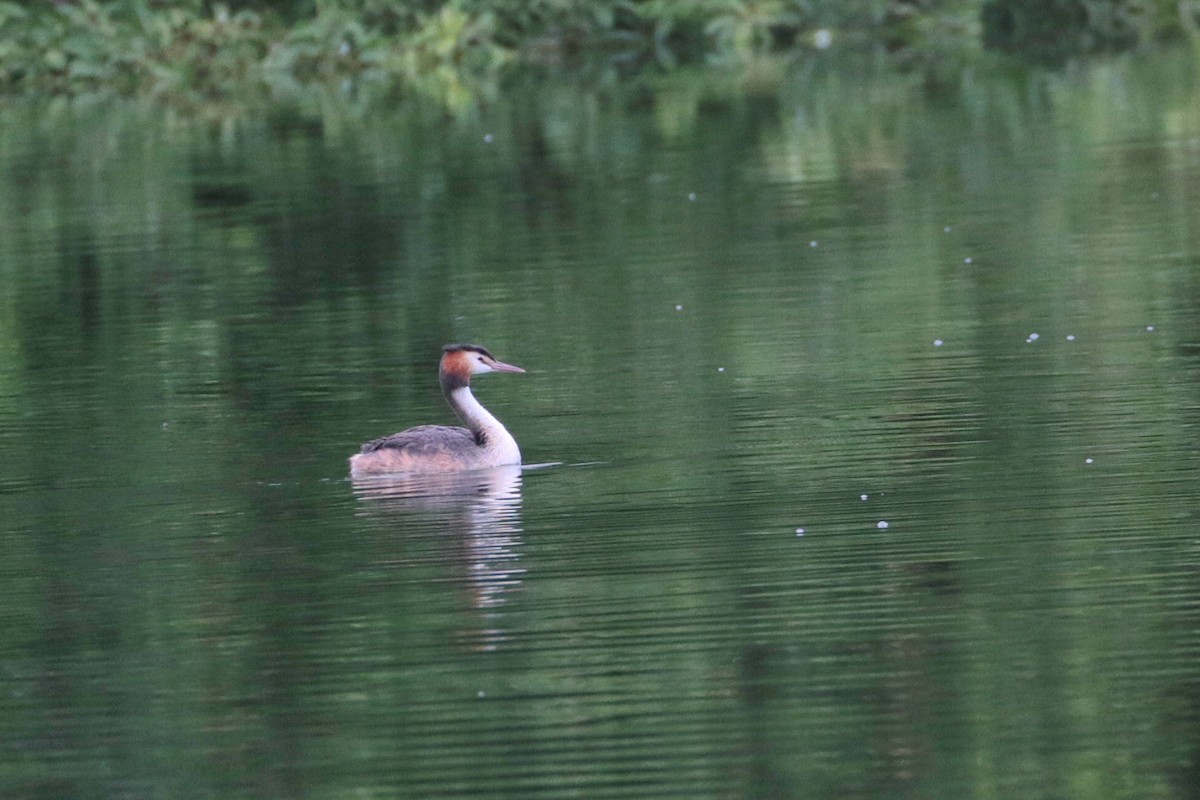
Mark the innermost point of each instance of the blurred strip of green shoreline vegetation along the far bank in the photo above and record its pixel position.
(197, 52)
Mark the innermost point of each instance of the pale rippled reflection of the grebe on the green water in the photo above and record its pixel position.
(482, 516)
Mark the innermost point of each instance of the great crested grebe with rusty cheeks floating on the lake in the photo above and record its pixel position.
(441, 449)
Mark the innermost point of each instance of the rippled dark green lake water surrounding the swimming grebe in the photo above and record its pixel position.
(817, 515)
